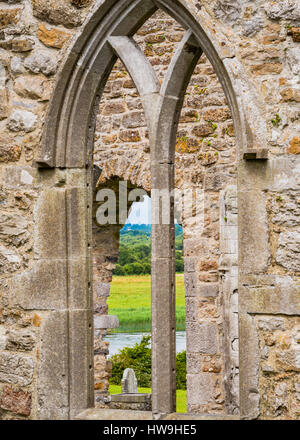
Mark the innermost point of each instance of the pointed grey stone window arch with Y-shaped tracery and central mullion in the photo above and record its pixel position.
(67, 144)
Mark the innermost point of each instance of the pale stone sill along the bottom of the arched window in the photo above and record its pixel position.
(116, 414)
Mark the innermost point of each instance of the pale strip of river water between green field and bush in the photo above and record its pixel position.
(120, 340)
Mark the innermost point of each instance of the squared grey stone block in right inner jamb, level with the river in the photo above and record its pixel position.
(201, 338)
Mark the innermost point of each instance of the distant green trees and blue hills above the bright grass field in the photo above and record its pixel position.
(135, 250)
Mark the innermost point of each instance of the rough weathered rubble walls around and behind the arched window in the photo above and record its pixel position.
(258, 42)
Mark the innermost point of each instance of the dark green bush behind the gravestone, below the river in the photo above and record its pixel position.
(139, 358)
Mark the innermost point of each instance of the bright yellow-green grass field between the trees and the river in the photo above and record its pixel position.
(130, 301)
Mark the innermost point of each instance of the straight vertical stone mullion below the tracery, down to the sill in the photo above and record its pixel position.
(163, 292)
